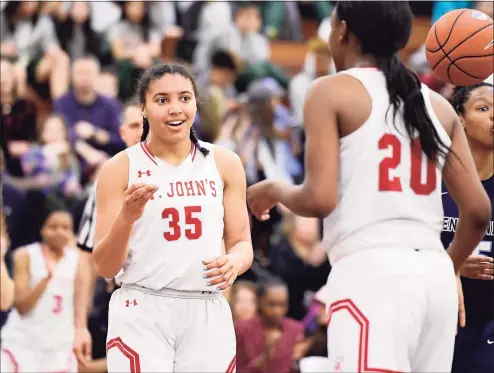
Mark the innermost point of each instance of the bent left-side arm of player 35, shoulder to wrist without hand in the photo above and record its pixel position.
(112, 229)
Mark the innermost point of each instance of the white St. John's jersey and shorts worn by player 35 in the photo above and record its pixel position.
(165, 317)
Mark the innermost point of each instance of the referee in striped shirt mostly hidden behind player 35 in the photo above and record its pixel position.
(130, 132)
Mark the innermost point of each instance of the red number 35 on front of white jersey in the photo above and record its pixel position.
(193, 225)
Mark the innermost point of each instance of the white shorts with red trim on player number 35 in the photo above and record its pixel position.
(169, 331)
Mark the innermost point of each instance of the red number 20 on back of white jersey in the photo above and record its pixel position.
(387, 184)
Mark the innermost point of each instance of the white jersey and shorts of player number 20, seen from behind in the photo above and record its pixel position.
(392, 291)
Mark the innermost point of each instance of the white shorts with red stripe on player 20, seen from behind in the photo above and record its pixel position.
(392, 310)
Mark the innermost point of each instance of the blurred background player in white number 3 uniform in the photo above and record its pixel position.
(39, 332)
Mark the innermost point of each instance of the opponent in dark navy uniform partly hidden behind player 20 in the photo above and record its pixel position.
(474, 347)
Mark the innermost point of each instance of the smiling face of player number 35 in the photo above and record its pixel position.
(170, 107)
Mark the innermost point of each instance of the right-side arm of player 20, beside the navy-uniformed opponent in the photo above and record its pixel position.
(463, 183)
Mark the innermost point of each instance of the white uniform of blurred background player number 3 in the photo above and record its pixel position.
(41, 340)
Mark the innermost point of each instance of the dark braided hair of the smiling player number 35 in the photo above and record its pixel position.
(155, 73)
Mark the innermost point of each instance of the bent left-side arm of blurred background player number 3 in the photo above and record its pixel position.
(26, 297)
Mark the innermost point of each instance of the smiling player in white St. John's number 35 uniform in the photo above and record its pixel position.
(164, 207)
